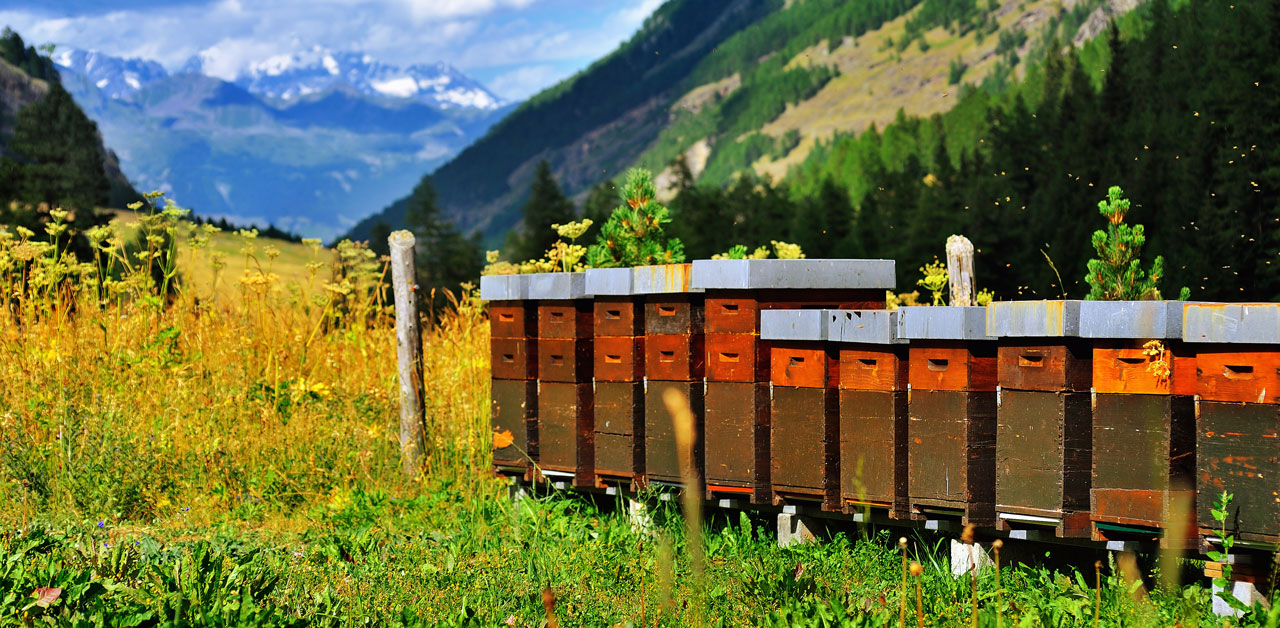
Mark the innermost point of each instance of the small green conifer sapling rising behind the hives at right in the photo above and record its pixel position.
(1117, 274)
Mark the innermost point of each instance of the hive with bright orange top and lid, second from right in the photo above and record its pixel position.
(1144, 423)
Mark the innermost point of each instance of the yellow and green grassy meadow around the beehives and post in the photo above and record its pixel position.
(226, 455)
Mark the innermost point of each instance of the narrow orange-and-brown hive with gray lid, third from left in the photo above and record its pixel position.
(619, 322)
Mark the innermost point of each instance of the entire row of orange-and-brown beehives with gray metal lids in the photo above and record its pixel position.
(1113, 420)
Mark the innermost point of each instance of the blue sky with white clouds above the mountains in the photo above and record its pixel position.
(516, 48)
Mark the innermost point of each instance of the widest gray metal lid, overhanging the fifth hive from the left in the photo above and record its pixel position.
(793, 274)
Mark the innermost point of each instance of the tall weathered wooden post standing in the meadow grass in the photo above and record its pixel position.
(409, 350)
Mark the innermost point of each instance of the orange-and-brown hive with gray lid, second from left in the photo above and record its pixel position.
(566, 428)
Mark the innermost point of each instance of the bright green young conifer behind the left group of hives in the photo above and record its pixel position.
(636, 233)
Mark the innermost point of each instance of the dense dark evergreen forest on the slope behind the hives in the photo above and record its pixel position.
(1186, 118)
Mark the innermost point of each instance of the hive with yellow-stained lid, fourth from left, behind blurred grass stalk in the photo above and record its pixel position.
(673, 361)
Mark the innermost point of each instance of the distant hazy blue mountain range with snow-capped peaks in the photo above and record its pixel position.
(309, 143)
